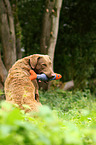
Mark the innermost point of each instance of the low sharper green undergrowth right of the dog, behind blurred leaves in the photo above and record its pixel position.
(59, 99)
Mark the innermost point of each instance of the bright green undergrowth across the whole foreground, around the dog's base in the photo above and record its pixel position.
(68, 119)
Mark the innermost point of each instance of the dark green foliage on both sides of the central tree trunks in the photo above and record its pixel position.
(75, 56)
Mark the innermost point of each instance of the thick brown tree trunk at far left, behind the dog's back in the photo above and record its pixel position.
(7, 34)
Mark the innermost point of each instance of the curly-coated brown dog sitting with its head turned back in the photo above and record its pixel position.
(19, 89)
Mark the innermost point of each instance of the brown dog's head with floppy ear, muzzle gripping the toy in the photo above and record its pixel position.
(42, 64)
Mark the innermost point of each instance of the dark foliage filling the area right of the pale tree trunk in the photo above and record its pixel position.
(76, 43)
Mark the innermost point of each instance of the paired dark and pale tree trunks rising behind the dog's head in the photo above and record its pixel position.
(50, 27)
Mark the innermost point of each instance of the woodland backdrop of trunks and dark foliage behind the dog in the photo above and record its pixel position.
(74, 50)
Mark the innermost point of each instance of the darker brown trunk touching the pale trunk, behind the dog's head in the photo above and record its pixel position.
(46, 26)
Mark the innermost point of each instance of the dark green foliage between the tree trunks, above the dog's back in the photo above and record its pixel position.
(30, 15)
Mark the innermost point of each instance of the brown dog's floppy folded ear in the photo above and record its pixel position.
(34, 60)
